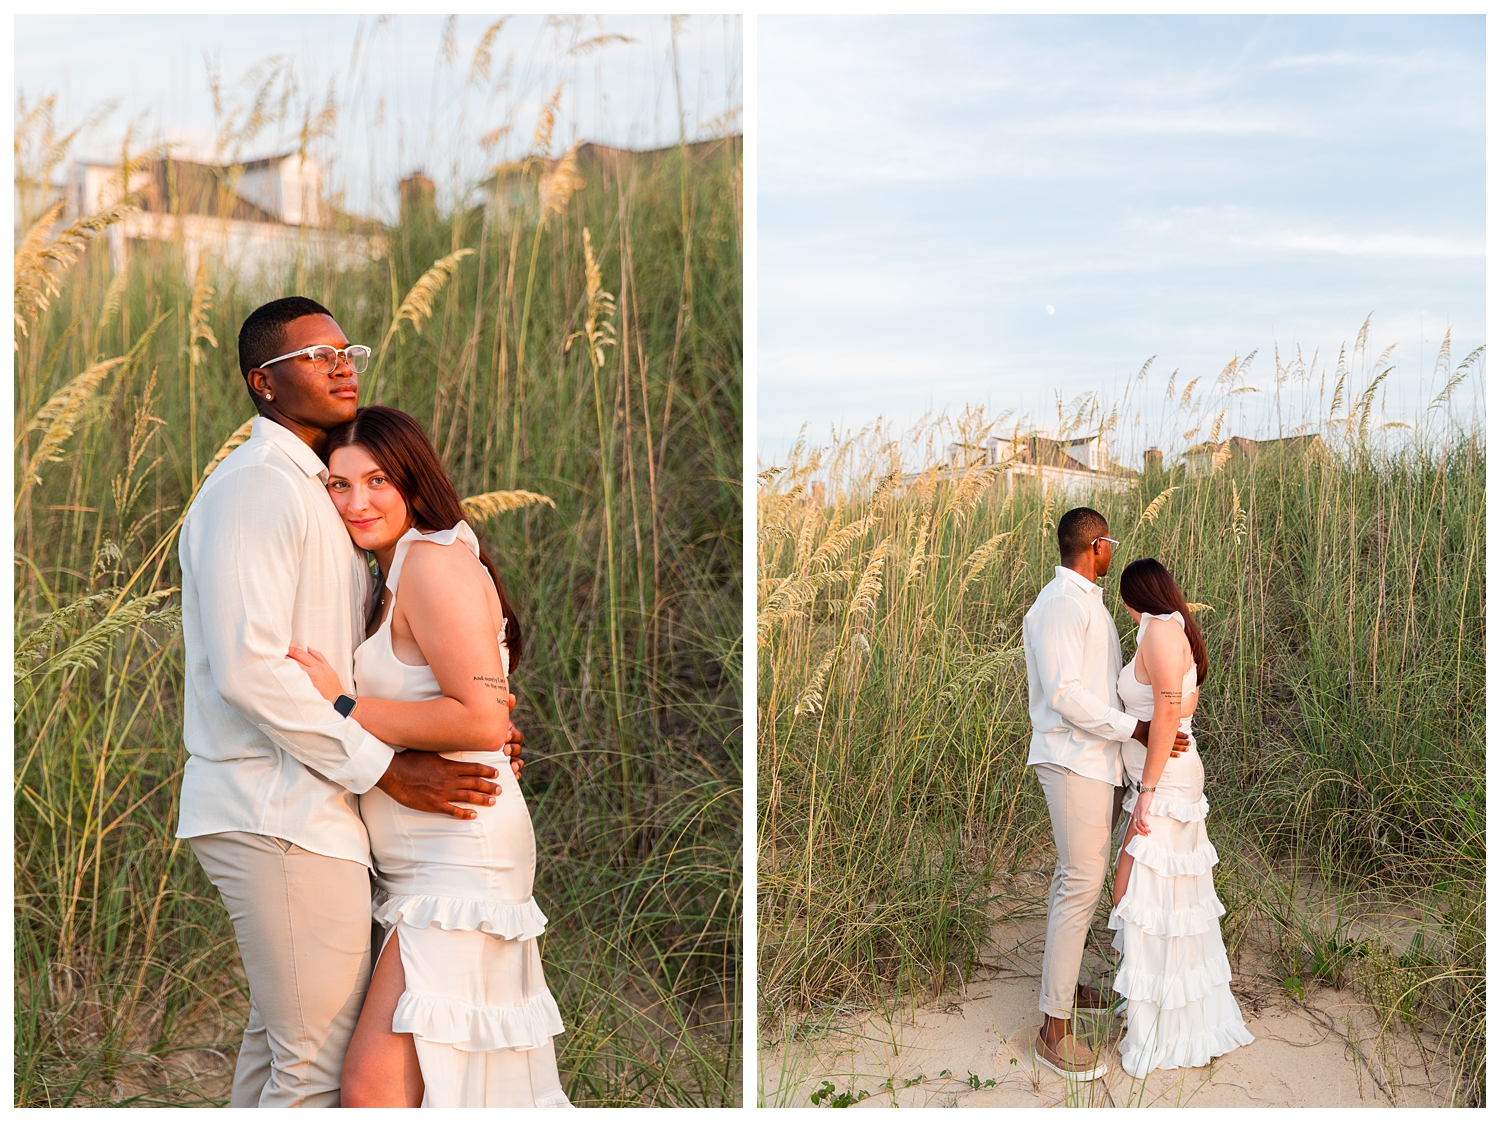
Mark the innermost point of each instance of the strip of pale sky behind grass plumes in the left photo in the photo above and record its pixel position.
(403, 106)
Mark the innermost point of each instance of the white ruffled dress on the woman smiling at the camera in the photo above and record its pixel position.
(460, 895)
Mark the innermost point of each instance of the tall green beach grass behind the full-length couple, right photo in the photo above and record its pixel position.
(1342, 595)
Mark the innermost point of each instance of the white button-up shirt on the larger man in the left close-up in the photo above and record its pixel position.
(268, 566)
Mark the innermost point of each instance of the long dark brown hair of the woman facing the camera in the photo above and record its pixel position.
(398, 445)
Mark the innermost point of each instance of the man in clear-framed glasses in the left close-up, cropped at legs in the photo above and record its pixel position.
(274, 772)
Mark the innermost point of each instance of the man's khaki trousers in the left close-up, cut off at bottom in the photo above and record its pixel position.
(304, 926)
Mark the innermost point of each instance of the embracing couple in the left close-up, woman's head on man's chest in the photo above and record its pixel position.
(338, 727)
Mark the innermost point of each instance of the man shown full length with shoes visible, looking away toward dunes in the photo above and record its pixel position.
(1073, 665)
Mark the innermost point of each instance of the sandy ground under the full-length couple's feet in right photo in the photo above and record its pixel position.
(974, 1051)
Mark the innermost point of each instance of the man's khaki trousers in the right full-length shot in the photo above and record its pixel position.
(1084, 814)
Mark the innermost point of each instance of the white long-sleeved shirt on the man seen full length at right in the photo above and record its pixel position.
(1073, 668)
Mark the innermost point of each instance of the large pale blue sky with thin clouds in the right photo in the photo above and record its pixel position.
(997, 211)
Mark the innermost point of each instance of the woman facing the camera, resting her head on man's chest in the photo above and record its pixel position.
(458, 1012)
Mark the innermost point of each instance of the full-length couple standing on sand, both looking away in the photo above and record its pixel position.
(1109, 740)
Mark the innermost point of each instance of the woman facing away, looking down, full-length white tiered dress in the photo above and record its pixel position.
(1174, 970)
